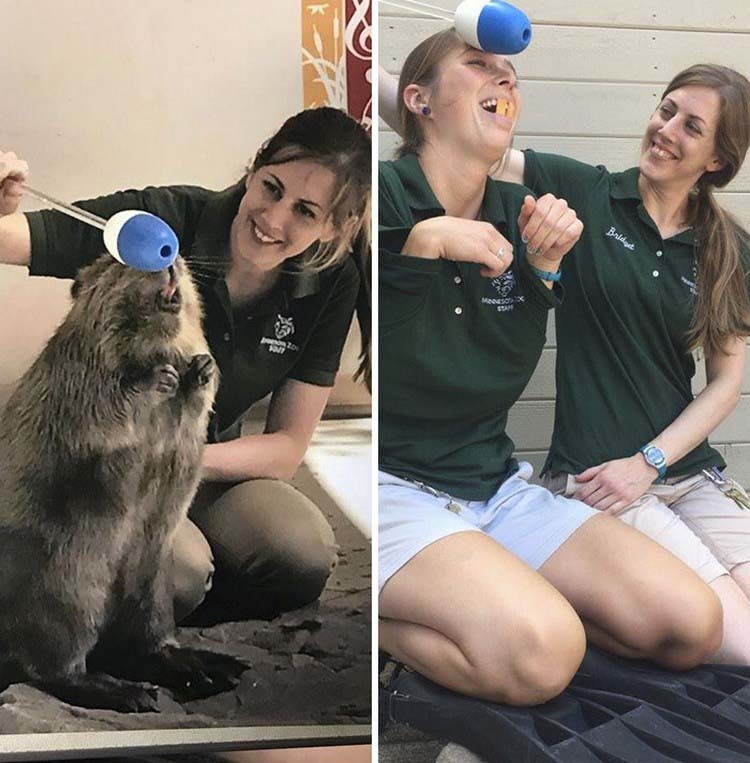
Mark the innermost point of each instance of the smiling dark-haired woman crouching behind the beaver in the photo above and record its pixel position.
(273, 261)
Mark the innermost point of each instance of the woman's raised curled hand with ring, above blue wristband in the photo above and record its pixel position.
(550, 229)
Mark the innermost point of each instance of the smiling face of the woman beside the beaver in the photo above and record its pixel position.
(285, 209)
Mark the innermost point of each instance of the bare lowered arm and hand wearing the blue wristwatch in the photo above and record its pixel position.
(613, 485)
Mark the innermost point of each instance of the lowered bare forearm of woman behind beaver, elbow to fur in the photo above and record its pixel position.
(274, 456)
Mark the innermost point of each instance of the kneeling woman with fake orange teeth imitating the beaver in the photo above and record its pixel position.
(489, 585)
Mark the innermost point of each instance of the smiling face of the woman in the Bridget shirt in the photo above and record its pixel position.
(680, 140)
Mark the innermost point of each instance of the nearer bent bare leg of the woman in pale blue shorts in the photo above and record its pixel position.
(472, 617)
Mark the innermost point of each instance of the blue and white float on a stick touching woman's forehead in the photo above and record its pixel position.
(490, 25)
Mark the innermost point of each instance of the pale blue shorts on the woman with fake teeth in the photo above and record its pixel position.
(525, 519)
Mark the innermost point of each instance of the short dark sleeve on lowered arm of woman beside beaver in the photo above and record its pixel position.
(321, 356)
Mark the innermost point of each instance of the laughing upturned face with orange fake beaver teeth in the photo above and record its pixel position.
(475, 102)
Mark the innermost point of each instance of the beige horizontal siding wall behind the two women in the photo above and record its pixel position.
(590, 78)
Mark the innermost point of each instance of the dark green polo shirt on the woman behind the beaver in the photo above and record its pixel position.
(297, 332)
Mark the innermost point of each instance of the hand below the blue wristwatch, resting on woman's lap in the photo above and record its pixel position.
(612, 486)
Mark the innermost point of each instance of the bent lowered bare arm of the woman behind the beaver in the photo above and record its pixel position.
(294, 412)
